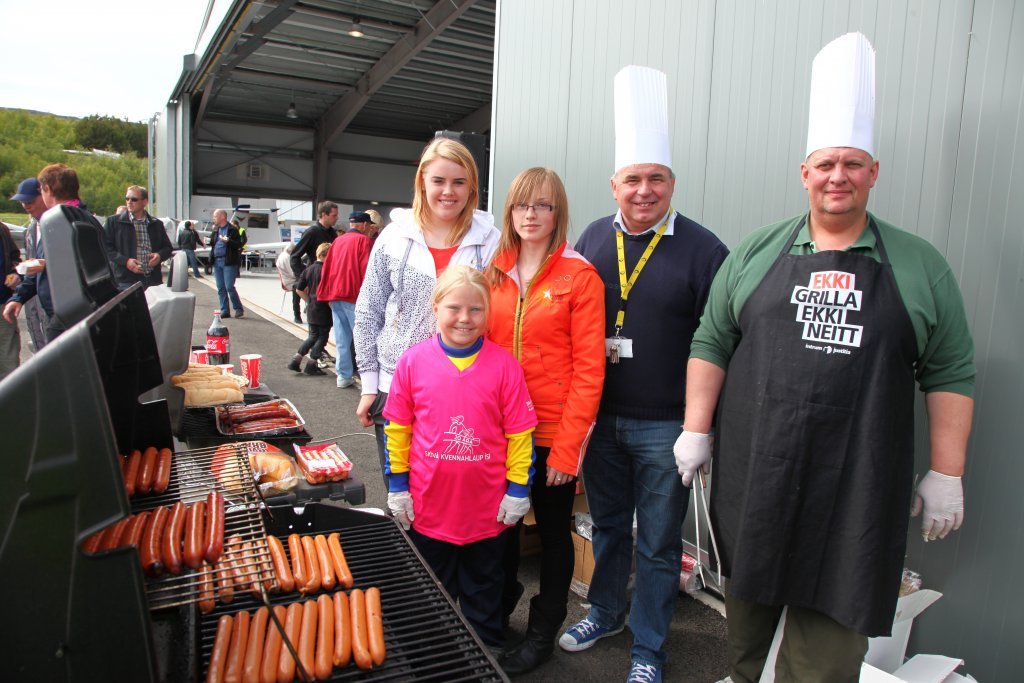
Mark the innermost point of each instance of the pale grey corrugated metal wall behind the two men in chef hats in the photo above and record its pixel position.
(951, 142)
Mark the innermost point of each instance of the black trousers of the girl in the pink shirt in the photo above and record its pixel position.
(473, 576)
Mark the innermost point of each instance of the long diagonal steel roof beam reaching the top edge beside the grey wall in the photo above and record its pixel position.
(336, 119)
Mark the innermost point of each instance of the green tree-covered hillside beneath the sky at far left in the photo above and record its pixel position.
(31, 141)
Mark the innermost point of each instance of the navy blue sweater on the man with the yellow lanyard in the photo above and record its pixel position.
(664, 312)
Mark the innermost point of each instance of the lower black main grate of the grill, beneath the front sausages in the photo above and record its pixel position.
(426, 638)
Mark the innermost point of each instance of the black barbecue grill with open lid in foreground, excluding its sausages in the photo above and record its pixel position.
(69, 412)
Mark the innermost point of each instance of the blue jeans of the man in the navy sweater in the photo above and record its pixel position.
(630, 466)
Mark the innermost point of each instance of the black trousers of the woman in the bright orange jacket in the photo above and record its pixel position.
(553, 510)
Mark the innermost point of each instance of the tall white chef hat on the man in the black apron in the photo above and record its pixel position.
(842, 112)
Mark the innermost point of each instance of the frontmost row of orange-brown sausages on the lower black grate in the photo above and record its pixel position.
(326, 633)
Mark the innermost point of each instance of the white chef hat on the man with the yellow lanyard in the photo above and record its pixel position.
(642, 117)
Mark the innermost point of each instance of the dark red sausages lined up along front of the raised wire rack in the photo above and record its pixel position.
(169, 538)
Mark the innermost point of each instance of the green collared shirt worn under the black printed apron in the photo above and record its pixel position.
(926, 284)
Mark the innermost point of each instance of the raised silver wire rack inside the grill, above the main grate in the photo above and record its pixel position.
(192, 480)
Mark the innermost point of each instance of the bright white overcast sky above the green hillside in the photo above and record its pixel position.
(112, 58)
